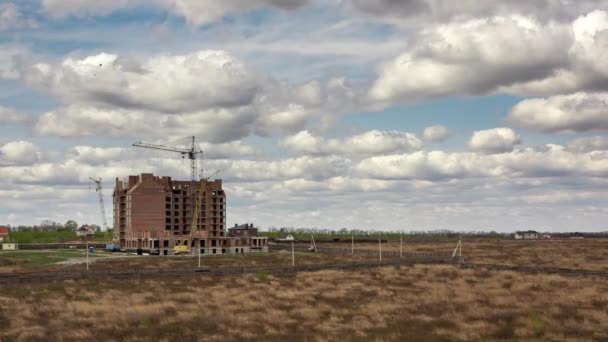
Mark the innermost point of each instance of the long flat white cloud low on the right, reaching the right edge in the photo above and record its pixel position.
(551, 161)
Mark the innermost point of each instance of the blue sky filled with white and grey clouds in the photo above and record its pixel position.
(379, 115)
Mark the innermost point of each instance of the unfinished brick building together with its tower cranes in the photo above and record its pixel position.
(161, 216)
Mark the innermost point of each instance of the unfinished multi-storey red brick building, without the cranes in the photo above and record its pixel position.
(152, 214)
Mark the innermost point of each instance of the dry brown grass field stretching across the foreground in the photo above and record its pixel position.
(420, 303)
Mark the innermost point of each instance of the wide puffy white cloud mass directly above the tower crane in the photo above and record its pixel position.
(206, 93)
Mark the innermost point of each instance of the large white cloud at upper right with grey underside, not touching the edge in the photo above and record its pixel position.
(473, 57)
